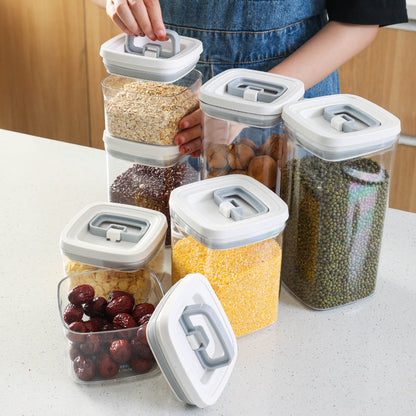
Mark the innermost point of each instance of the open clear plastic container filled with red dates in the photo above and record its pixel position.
(97, 350)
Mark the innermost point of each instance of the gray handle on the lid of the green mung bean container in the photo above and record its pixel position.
(347, 118)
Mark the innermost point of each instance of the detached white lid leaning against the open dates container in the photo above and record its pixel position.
(192, 341)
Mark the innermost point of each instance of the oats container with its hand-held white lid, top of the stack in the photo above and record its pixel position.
(152, 86)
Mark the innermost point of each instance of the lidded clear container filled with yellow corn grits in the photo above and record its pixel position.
(229, 229)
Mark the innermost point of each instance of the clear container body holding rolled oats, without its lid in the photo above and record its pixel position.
(148, 111)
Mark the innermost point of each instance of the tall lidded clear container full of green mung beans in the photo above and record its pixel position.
(336, 184)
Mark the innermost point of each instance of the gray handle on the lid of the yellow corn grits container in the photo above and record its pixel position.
(238, 203)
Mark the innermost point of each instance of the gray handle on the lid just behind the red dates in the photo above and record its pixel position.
(115, 228)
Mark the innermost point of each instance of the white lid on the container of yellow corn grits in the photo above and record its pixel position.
(228, 211)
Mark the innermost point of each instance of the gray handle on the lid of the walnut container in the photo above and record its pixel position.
(252, 90)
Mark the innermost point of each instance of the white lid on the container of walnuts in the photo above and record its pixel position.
(249, 96)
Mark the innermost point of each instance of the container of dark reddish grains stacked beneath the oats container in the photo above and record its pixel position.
(145, 175)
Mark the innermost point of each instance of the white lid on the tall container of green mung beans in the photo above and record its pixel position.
(340, 127)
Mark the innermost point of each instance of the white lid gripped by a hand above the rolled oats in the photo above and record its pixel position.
(142, 58)
